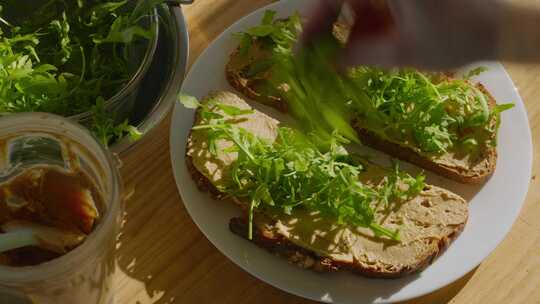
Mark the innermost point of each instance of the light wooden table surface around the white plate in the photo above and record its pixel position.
(164, 258)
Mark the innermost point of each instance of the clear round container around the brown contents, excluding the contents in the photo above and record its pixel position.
(83, 275)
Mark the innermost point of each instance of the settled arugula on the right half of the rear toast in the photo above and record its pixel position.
(432, 112)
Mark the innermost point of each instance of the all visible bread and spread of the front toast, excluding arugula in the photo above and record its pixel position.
(427, 223)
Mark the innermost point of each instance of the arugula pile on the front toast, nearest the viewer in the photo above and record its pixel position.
(293, 172)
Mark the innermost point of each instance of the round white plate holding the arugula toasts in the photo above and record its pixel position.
(493, 206)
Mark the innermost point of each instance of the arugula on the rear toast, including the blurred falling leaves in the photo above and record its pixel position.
(425, 110)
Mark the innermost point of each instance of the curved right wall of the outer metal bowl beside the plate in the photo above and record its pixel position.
(158, 89)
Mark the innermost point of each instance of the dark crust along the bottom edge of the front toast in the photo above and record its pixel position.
(307, 259)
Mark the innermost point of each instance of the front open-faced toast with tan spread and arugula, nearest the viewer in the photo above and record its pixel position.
(319, 206)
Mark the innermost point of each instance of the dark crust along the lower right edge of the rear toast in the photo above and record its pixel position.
(405, 153)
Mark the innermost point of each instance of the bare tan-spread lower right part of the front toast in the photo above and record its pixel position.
(427, 223)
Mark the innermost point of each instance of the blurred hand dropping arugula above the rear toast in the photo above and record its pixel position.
(426, 34)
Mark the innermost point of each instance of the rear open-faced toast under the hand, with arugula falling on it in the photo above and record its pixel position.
(444, 124)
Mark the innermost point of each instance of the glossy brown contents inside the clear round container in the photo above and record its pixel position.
(51, 197)
